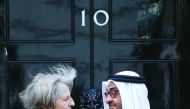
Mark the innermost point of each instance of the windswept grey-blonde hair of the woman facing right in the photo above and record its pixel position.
(46, 87)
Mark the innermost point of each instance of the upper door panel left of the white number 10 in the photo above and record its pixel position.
(42, 20)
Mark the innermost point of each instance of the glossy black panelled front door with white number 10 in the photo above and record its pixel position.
(98, 38)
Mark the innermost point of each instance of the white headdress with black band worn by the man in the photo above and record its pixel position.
(134, 93)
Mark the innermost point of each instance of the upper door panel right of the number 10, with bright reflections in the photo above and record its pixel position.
(143, 19)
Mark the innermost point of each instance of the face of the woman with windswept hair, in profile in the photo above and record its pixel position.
(64, 101)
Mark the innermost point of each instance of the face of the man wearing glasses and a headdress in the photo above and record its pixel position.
(113, 98)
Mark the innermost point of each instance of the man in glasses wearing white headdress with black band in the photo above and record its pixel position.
(125, 90)
